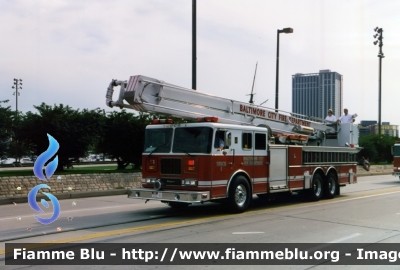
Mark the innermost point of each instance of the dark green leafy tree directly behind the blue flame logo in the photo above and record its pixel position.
(74, 130)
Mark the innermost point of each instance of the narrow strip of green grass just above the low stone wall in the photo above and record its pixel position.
(75, 170)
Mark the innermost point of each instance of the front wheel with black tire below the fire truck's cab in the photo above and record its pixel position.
(239, 195)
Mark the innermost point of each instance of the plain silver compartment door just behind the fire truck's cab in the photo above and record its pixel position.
(278, 169)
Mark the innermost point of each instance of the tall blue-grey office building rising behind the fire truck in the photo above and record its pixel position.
(314, 93)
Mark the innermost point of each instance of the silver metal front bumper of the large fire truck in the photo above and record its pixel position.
(169, 195)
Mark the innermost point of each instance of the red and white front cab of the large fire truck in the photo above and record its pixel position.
(186, 164)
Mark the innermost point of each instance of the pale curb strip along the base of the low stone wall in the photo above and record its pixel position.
(64, 196)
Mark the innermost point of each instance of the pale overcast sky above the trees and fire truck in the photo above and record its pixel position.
(67, 52)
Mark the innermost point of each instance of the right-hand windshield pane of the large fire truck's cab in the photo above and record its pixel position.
(193, 140)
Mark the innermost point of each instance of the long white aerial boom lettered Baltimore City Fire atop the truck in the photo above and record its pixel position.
(146, 94)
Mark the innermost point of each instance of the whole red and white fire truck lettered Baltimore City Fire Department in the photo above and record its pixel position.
(266, 151)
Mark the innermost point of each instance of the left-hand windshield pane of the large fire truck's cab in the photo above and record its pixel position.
(158, 140)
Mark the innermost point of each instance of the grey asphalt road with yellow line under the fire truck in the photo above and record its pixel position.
(367, 212)
